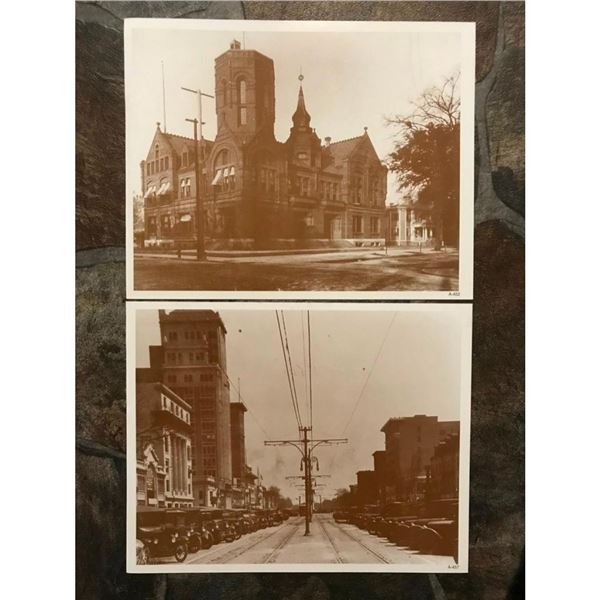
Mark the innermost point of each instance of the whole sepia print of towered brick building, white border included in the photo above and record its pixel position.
(299, 159)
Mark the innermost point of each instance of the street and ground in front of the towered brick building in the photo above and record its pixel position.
(365, 270)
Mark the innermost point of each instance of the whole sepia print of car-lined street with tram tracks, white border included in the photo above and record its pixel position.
(298, 437)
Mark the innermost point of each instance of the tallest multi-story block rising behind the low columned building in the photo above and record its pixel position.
(192, 362)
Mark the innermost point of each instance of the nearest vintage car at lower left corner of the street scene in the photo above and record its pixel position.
(162, 530)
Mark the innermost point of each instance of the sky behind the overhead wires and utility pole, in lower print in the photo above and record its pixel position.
(367, 366)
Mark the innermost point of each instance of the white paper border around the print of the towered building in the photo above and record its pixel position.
(467, 150)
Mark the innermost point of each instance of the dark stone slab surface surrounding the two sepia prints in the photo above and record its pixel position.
(497, 447)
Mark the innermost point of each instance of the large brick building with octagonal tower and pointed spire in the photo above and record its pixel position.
(256, 190)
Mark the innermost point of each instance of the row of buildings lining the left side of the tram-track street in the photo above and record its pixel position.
(190, 437)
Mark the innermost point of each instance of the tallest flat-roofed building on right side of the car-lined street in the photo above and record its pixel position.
(410, 443)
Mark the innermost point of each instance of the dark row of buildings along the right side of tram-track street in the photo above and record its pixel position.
(420, 462)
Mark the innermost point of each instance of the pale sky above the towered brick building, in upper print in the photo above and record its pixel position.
(351, 81)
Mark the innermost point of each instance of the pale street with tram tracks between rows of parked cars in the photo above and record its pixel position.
(328, 543)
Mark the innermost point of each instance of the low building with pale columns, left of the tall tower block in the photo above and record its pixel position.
(163, 425)
